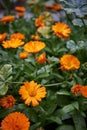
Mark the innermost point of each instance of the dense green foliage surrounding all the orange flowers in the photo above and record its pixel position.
(60, 109)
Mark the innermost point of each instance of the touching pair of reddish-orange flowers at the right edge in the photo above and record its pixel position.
(79, 89)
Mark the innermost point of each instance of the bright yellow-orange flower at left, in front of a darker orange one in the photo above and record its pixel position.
(12, 43)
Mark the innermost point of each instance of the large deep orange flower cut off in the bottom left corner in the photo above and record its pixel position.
(15, 121)
